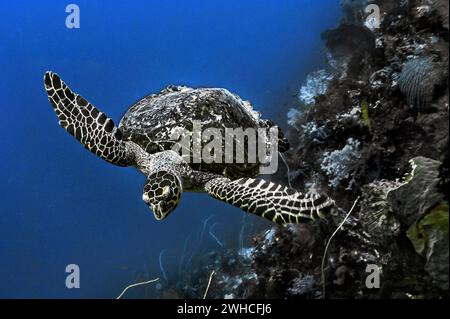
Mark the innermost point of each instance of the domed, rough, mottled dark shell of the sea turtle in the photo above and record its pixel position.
(153, 121)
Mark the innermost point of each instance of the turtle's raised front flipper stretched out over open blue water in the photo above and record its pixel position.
(86, 123)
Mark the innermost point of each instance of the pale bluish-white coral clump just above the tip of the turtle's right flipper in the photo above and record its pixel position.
(338, 165)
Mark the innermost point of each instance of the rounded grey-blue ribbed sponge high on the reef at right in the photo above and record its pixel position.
(419, 79)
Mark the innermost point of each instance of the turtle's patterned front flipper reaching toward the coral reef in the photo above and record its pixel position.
(274, 202)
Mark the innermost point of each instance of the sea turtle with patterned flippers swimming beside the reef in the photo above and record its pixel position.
(142, 140)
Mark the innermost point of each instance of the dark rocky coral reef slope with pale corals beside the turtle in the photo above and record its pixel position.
(372, 132)
